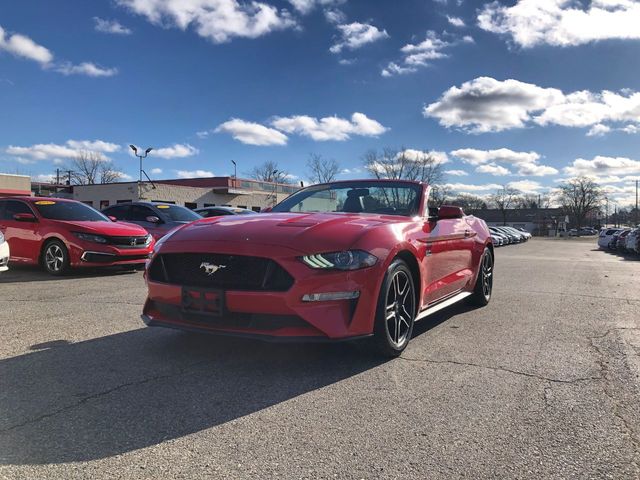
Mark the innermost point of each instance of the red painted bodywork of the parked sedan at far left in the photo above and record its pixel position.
(26, 239)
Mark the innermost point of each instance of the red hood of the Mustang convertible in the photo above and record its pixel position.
(304, 232)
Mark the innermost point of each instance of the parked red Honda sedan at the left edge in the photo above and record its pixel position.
(59, 234)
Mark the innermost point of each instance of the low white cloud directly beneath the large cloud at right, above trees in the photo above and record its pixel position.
(526, 163)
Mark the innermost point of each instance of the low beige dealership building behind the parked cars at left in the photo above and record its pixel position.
(189, 192)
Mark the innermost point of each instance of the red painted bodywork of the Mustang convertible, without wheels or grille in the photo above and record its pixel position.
(446, 253)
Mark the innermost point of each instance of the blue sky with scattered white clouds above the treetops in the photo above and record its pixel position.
(525, 92)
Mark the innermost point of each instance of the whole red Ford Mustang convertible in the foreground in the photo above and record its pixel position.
(336, 261)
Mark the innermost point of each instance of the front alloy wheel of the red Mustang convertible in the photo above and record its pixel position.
(399, 308)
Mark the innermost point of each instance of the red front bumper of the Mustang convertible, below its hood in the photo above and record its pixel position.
(281, 315)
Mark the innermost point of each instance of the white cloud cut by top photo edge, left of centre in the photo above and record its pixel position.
(216, 20)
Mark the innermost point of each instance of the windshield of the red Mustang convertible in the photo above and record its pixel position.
(387, 198)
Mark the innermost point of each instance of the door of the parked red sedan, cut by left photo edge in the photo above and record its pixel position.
(23, 237)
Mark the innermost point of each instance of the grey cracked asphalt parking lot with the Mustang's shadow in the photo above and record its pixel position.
(543, 382)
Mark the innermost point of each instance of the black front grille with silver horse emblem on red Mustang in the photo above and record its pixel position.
(220, 271)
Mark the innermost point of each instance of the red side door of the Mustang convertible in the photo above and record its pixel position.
(449, 244)
